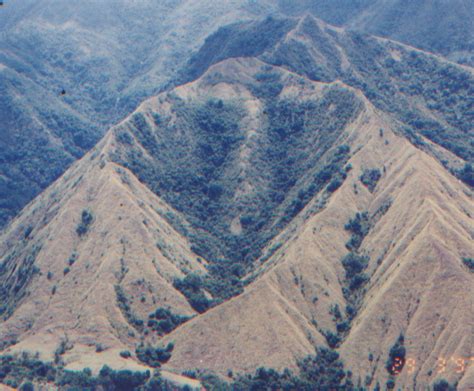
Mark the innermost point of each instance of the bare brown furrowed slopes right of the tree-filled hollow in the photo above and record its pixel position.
(304, 279)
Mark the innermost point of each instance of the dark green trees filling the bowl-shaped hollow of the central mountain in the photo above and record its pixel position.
(294, 159)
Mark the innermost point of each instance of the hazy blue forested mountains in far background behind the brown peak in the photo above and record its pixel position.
(108, 56)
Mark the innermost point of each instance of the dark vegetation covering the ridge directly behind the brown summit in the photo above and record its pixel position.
(392, 85)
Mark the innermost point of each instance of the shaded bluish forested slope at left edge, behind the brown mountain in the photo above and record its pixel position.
(41, 137)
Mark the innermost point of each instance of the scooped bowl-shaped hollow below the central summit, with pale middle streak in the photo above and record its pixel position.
(236, 153)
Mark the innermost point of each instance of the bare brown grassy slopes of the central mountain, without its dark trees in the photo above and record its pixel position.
(420, 229)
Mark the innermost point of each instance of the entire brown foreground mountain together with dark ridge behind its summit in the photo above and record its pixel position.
(291, 194)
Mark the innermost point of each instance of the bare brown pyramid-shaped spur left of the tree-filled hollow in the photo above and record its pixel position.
(65, 278)
